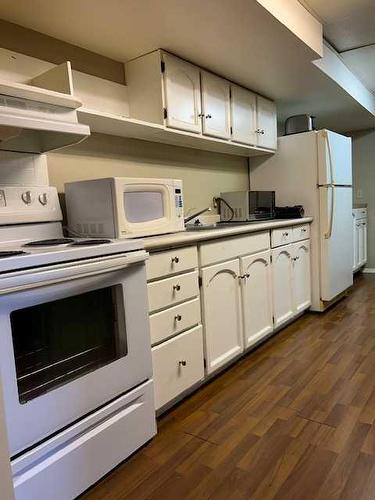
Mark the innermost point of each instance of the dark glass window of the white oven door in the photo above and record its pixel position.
(58, 341)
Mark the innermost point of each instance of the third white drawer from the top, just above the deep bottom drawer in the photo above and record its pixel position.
(166, 323)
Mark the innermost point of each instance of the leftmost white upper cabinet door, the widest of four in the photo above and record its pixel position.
(182, 94)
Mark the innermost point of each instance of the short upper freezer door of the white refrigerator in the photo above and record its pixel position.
(334, 159)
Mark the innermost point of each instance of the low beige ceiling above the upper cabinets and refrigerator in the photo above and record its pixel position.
(237, 39)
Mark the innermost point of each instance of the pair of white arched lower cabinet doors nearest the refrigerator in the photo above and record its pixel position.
(291, 281)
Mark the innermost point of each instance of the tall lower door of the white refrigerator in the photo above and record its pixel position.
(336, 260)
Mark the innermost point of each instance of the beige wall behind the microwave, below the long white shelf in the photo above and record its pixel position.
(204, 174)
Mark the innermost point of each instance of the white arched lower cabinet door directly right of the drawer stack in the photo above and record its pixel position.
(221, 311)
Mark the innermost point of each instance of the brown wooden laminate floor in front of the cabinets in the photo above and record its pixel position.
(294, 420)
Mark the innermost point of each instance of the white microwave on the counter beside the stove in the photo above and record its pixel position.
(124, 207)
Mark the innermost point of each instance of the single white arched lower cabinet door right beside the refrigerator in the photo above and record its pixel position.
(301, 276)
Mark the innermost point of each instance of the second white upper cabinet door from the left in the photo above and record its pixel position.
(215, 105)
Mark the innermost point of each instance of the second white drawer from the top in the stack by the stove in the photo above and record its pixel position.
(173, 290)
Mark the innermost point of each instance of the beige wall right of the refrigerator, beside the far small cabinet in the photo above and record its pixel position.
(364, 180)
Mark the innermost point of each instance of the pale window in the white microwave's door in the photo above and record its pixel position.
(143, 206)
